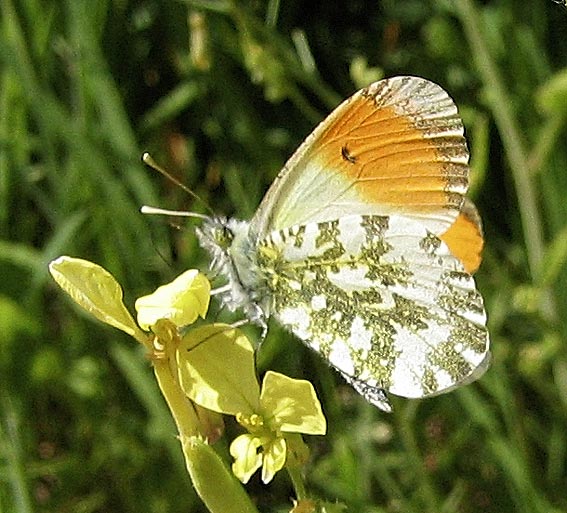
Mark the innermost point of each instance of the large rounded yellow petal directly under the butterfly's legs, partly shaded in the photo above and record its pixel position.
(216, 369)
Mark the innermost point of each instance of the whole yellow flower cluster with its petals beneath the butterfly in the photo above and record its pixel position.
(204, 371)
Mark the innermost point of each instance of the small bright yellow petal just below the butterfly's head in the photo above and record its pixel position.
(181, 301)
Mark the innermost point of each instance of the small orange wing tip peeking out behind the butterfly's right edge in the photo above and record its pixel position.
(465, 239)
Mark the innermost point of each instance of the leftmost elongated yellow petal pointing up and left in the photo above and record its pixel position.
(96, 290)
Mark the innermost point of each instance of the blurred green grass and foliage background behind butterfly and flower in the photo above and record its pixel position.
(221, 92)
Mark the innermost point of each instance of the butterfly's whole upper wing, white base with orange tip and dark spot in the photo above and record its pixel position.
(395, 147)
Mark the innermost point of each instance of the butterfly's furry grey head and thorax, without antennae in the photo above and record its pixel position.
(233, 256)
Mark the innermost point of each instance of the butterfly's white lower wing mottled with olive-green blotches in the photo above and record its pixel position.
(382, 299)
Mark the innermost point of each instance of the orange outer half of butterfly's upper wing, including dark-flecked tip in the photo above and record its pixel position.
(407, 154)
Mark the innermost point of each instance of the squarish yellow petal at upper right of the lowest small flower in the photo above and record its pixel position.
(291, 405)
